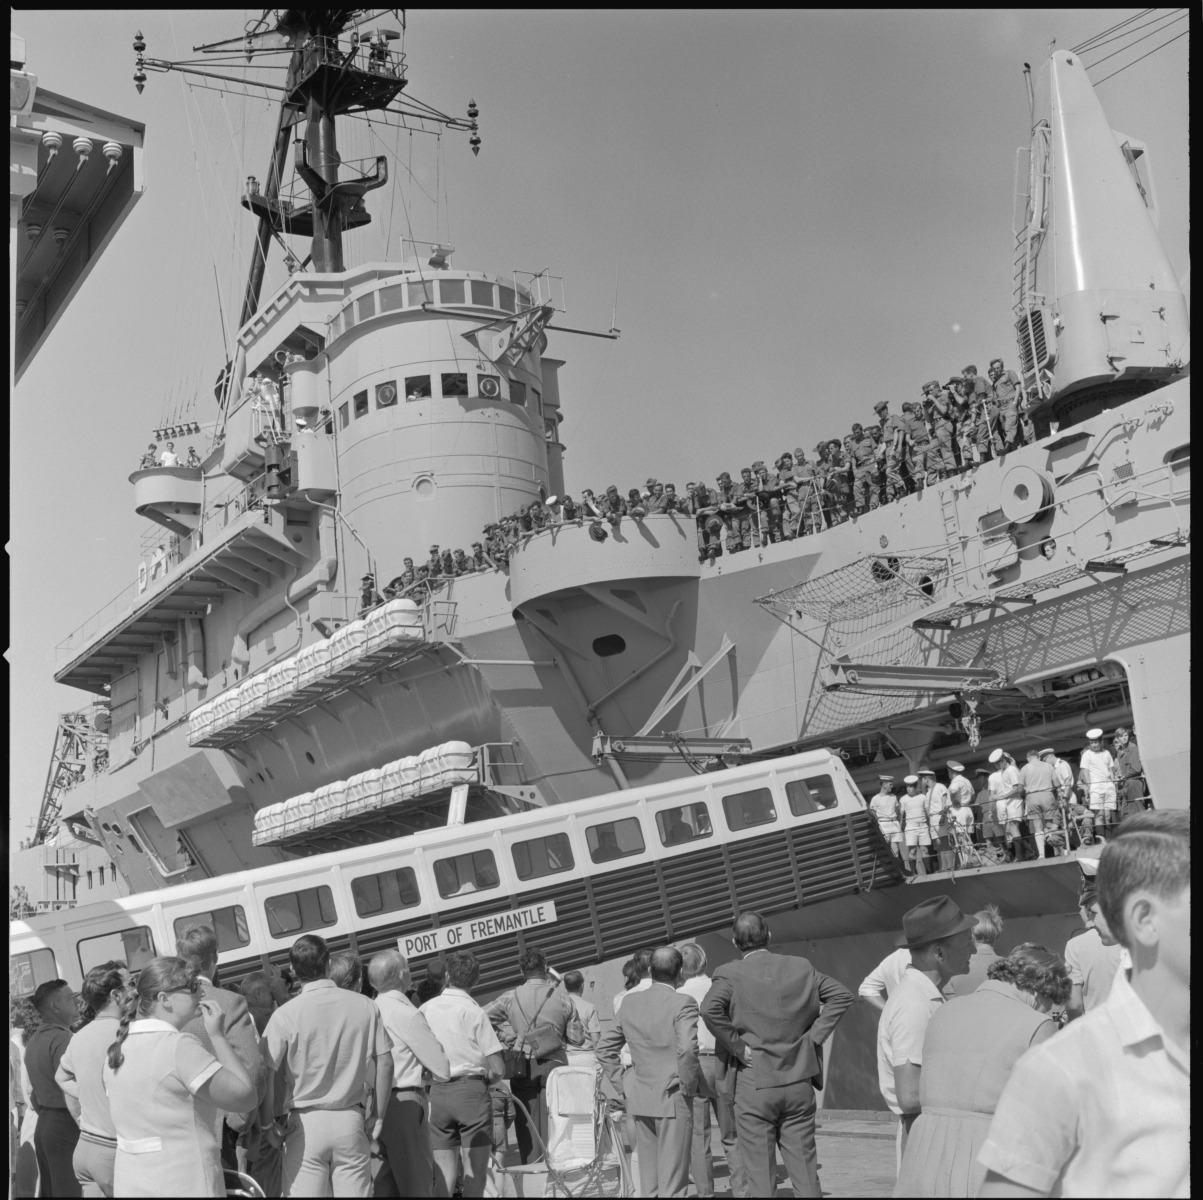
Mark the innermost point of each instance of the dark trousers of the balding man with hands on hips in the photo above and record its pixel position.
(772, 1118)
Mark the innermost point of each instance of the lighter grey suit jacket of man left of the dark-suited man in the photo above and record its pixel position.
(661, 1027)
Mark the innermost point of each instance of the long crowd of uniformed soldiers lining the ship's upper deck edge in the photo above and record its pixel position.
(955, 427)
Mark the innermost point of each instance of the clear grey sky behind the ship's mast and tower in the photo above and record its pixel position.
(789, 215)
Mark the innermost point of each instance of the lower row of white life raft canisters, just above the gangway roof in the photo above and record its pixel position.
(432, 771)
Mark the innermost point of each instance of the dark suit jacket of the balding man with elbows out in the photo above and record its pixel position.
(780, 1007)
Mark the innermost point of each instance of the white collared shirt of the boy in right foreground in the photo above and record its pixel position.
(1104, 1109)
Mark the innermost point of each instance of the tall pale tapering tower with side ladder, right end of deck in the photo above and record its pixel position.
(1100, 316)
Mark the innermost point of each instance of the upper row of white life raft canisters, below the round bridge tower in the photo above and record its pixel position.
(388, 627)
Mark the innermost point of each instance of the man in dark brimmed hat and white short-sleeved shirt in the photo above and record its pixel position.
(940, 938)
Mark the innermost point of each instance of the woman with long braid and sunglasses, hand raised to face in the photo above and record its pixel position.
(165, 1089)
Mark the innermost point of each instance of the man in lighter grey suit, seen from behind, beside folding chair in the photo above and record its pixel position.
(661, 1027)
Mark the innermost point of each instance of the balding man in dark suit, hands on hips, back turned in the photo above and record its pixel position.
(771, 1014)
